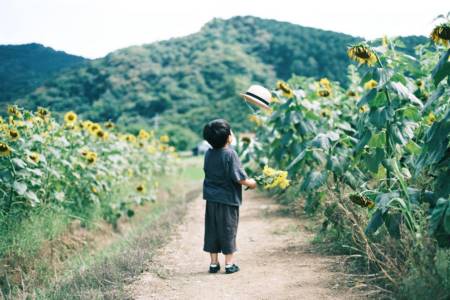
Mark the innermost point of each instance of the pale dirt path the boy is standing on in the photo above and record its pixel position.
(272, 254)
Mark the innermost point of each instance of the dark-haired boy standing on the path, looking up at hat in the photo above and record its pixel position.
(222, 190)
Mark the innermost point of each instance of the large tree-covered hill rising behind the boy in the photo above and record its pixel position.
(186, 81)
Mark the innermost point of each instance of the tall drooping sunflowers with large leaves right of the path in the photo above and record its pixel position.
(371, 159)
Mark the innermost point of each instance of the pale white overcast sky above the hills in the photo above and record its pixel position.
(92, 28)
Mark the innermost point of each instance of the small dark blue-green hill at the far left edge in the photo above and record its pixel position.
(25, 67)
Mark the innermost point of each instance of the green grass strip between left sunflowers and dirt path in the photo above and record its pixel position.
(85, 271)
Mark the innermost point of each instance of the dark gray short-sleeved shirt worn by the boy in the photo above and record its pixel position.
(223, 171)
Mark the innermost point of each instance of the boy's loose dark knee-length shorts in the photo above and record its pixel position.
(221, 222)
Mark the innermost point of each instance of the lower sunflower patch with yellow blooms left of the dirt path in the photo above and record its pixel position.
(74, 166)
